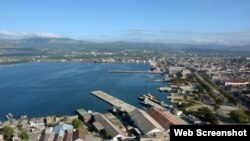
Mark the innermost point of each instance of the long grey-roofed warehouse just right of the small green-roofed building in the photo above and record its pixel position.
(102, 123)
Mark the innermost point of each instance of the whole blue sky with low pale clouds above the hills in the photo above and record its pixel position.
(196, 21)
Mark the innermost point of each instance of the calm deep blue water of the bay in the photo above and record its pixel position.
(39, 89)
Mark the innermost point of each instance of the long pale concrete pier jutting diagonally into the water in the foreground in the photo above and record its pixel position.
(113, 101)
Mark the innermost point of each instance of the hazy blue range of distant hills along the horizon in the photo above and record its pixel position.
(66, 43)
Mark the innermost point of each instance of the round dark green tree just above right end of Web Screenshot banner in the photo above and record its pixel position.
(239, 116)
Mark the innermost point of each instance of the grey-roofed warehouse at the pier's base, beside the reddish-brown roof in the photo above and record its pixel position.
(146, 124)
